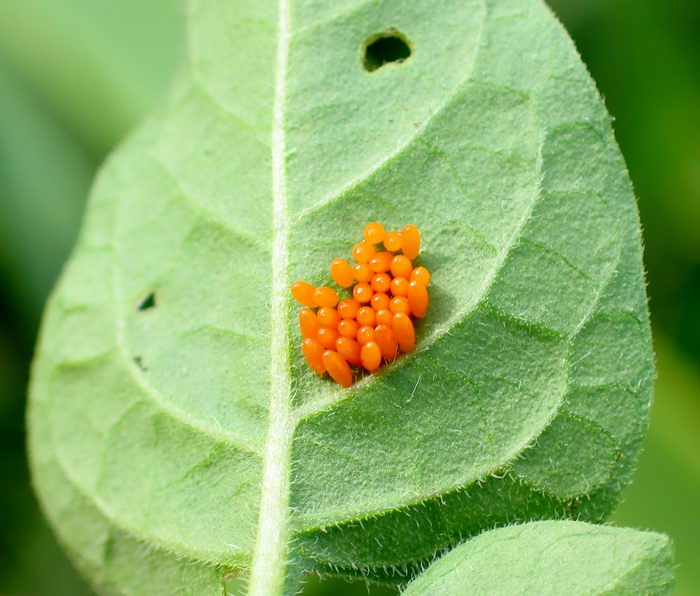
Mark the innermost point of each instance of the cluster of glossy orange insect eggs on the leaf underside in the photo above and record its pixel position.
(376, 323)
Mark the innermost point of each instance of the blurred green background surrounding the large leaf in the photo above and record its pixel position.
(76, 75)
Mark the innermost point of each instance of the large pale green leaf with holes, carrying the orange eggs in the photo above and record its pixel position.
(194, 426)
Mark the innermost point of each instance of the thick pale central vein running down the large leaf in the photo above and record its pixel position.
(268, 570)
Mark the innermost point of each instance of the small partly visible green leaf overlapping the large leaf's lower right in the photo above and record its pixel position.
(553, 557)
